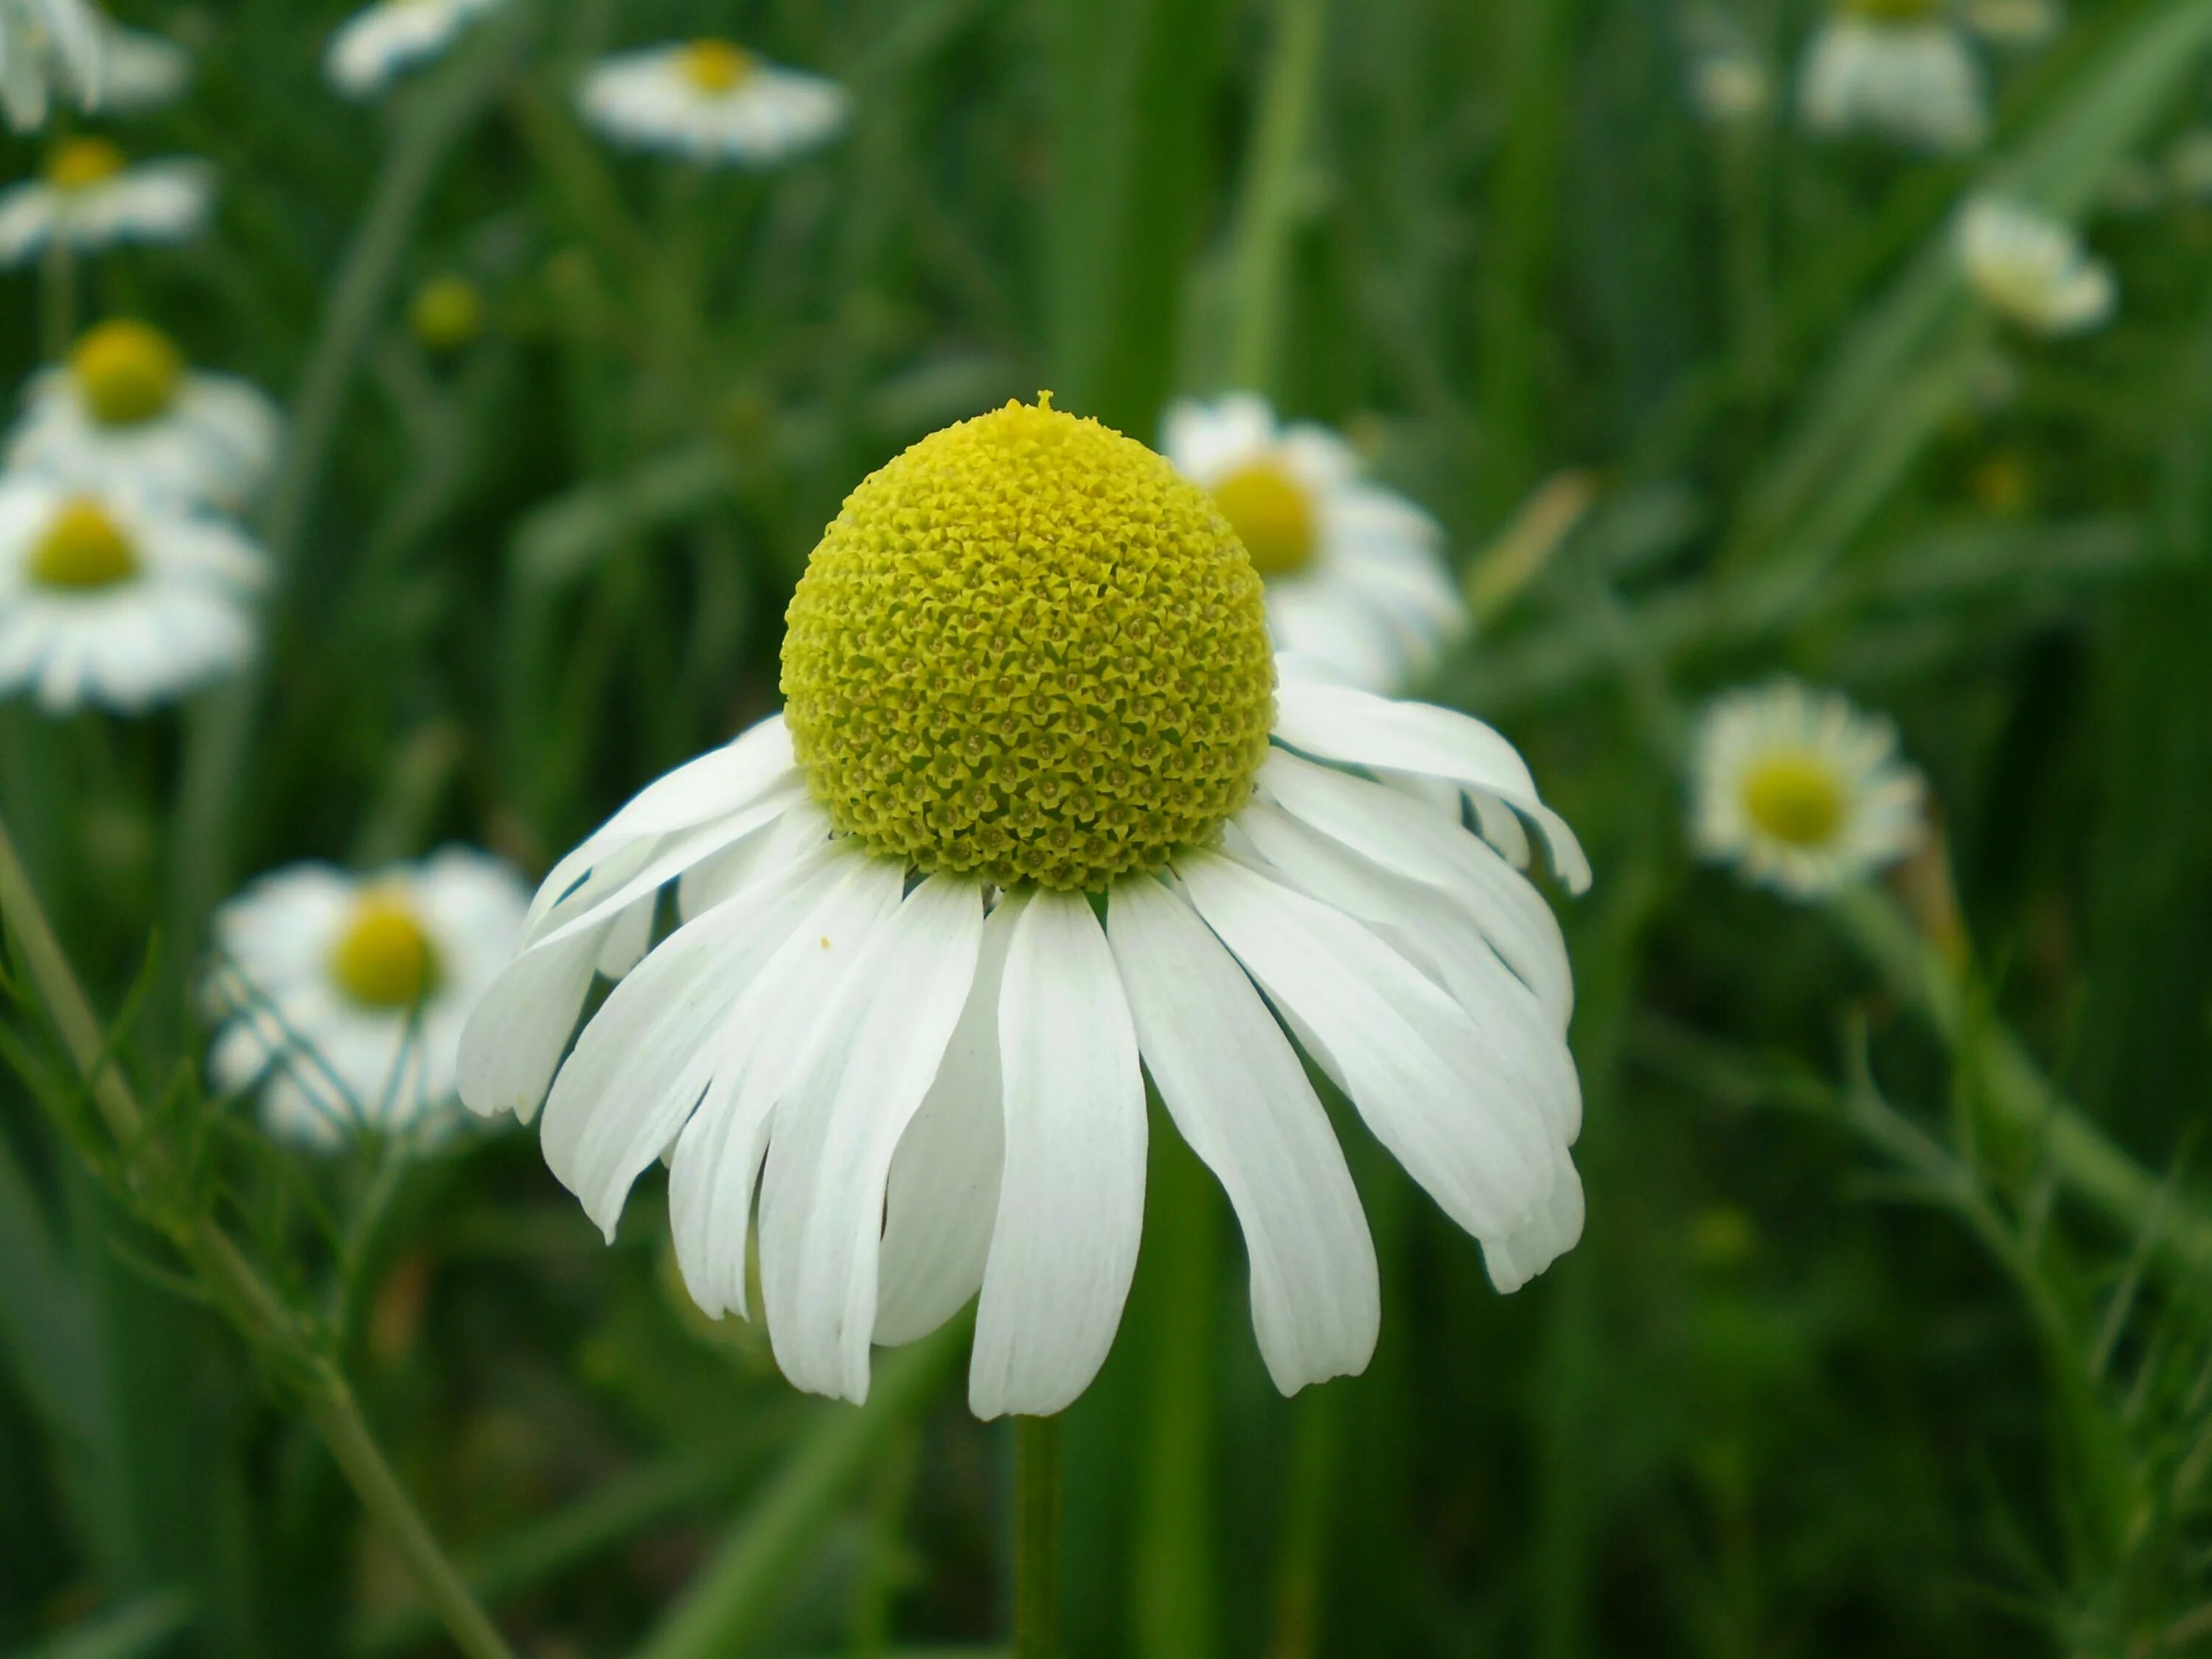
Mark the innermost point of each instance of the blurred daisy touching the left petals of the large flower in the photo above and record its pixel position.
(344, 997)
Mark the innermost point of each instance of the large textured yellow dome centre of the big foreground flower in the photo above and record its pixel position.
(1030, 651)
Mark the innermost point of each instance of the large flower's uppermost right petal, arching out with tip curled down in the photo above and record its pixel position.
(1361, 729)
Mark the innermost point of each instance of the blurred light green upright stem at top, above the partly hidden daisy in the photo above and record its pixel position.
(1271, 191)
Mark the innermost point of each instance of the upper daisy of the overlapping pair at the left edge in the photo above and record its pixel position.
(129, 415)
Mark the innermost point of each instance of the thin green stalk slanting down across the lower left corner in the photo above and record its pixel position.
(233, 1282)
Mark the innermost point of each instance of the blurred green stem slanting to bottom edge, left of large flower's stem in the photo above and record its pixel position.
(733, 1594)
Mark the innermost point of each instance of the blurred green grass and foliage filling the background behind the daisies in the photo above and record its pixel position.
(1859, 1353)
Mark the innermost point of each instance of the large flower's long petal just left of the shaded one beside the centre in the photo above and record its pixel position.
(831, 1158)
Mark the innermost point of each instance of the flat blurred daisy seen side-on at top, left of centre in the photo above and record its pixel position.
(713, 103)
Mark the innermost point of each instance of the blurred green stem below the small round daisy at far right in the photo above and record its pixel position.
(2018, 1096)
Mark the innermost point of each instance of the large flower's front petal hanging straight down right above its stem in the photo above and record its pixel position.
(1072, 1198)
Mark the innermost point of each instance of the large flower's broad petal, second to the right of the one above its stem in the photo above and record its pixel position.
(1406, 1054)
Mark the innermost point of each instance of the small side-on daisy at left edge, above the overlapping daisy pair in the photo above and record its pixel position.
(94, 198)
